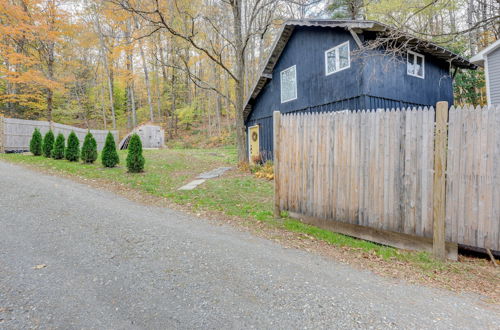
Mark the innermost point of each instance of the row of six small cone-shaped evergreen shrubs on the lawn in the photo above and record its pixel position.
(58, 149)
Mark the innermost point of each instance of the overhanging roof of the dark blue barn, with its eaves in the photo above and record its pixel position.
(356, 26)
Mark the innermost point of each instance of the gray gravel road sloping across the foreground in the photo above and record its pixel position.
(114, 264)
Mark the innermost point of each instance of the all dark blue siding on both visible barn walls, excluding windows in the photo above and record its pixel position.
(374, 80)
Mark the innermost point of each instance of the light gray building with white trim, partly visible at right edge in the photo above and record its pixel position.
(489, 58)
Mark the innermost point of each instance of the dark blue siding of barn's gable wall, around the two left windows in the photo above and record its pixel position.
(306, 49)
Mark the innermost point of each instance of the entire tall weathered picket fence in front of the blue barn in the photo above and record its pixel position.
(375, 174)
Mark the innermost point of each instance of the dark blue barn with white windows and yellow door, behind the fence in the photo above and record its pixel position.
(332, 65)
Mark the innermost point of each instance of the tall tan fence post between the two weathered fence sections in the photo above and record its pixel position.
(439, 185)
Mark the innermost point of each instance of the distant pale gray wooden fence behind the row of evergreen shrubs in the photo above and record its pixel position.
(15, 134)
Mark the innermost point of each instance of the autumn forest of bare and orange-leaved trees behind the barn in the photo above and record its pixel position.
(189, 65)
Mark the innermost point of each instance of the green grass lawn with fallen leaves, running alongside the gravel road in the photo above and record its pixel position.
(236, 194)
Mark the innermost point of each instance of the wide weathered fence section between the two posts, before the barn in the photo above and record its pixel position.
(353, 168)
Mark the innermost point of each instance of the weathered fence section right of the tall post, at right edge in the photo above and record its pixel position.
(473, 177)
